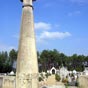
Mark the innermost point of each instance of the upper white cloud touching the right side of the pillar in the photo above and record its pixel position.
(42, 26)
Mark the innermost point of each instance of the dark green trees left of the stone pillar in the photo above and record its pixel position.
(6, 61)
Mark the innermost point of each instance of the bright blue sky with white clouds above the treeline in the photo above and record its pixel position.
(59, 24)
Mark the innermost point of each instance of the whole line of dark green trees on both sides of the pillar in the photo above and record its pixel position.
(46, 59)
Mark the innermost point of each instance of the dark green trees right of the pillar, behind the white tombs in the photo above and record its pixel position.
(50, 58)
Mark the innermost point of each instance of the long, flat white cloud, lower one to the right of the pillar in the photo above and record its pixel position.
(53, 35)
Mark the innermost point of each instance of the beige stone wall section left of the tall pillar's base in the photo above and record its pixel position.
(7, 82)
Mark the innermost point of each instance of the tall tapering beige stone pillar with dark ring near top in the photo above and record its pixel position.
(27, 66)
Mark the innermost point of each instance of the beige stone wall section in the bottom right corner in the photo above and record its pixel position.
(83, 82)
